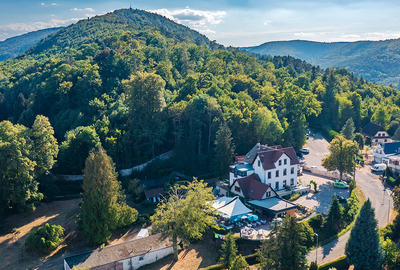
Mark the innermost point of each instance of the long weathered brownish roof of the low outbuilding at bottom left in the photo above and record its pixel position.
(115, 253)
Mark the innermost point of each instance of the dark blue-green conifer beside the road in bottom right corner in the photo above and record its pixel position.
(364, 249)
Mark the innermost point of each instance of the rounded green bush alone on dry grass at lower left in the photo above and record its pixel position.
(45, 239)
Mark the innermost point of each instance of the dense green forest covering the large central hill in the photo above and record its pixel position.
(139, 84)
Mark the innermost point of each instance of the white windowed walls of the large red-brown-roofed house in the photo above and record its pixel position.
(282, 175)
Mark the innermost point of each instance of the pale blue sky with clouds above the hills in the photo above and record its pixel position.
(234, 22)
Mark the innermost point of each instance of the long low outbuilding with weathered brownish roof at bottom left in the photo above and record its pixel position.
(125, 256)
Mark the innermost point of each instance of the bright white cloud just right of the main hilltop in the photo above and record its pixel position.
(200, 20)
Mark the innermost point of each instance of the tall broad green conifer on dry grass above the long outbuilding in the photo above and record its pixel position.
(103, 208)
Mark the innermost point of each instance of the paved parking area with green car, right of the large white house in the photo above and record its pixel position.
(321, 200)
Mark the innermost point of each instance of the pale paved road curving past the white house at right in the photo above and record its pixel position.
(369, 184)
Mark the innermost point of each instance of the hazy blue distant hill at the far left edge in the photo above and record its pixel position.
(12, 47)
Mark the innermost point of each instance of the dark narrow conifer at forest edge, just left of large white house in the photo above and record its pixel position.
(224, 148)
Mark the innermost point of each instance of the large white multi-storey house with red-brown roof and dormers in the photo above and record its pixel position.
(274, 165)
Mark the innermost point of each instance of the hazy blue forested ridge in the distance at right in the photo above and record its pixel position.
(376, 61)
